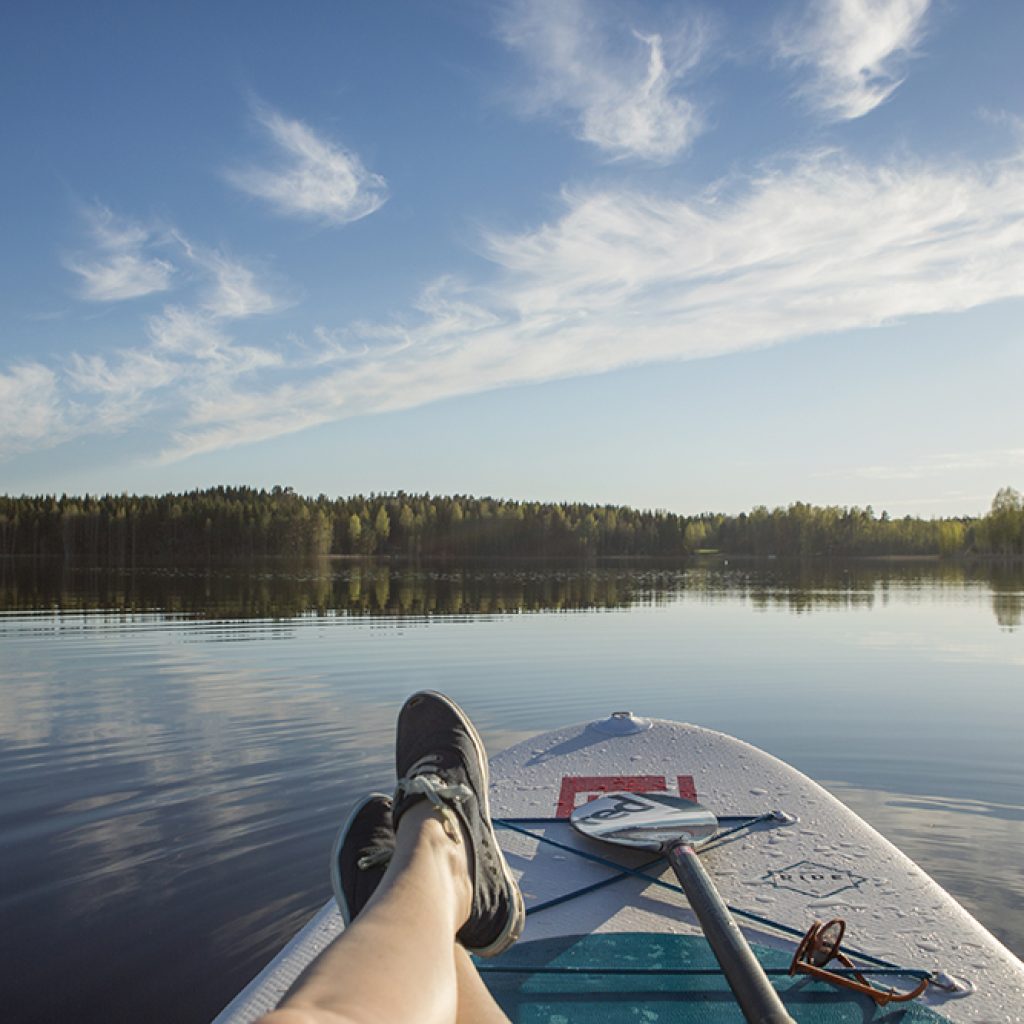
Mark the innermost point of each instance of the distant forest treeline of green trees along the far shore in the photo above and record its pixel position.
(233, 524)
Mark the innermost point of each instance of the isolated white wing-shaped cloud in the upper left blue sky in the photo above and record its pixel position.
(317, 179)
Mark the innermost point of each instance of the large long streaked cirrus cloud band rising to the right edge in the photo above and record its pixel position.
(824, 244)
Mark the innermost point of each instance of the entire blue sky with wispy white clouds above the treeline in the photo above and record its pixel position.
(685, 255)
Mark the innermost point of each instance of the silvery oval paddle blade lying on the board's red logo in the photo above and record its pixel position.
(646, 821)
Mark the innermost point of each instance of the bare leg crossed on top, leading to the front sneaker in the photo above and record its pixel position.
(398, 962)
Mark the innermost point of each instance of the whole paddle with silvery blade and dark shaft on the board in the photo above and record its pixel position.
(675, 827)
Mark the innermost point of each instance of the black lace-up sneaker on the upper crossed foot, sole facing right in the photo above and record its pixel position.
(440, 757)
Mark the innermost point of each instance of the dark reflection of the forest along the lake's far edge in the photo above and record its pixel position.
(281, 590)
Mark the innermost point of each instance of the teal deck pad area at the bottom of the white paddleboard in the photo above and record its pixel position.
(661, 979)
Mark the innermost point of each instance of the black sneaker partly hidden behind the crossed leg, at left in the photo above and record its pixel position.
(361, 855)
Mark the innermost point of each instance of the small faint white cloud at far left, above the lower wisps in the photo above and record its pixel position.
(121, 270)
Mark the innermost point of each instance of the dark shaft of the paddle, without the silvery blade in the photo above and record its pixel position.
(759, 1002)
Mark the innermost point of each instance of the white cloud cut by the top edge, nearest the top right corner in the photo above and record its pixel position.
(857, 50)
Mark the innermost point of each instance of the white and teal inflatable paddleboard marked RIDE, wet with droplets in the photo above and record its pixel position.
(610, 935)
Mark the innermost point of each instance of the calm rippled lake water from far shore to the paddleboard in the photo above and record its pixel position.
(178, 749)
